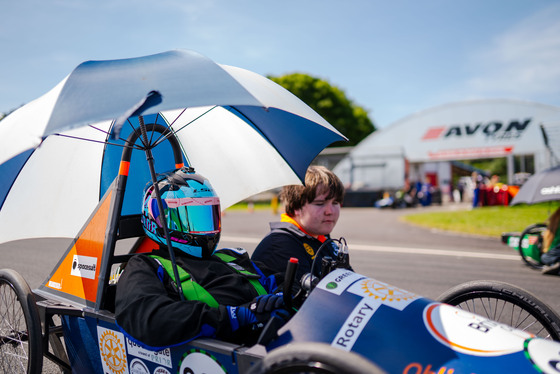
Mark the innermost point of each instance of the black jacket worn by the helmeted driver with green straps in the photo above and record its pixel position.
(150, 311)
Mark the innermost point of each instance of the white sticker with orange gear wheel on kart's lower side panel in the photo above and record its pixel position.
(111, 349)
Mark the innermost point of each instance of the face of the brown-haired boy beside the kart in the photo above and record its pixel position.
(319, 216)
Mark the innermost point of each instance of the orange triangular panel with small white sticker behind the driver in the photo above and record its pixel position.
(78, 273)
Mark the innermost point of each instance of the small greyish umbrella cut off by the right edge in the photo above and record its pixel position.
(541, 187)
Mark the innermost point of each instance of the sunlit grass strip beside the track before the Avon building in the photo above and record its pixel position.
(487, 221)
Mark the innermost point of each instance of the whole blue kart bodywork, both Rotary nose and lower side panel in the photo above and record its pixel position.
(397, 330)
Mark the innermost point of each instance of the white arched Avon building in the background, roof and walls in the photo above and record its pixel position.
(424, 144)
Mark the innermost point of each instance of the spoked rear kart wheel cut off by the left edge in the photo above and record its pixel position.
(20, 326)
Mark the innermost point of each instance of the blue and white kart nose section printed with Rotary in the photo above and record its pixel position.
(405, 333)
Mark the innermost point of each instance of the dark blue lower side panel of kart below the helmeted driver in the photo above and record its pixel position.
(97, 346)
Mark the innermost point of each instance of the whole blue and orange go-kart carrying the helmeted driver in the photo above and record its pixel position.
(345, 322)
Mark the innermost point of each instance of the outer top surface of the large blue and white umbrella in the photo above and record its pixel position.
(105, 90)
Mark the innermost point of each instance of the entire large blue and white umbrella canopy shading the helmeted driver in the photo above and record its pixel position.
(248, 137)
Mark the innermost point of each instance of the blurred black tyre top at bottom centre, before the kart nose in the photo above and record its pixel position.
(314, 358)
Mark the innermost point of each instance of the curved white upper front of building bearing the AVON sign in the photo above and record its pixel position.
(465, 130)
